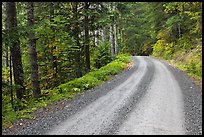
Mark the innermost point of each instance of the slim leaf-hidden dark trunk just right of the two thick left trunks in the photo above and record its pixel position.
(54, 58)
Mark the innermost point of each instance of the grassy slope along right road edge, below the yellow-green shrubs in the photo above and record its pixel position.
(189, 61)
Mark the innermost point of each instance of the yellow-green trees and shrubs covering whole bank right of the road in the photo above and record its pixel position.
(180, 39)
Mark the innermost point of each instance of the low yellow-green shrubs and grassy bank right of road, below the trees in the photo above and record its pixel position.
(182, 54)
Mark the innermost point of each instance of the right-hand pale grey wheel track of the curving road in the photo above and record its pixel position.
(160, 112)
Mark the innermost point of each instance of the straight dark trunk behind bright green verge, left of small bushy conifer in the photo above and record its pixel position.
(86, 28)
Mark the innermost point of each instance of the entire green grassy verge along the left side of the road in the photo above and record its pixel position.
(64, 91)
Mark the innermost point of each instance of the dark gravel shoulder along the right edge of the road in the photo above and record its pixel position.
(192, 97)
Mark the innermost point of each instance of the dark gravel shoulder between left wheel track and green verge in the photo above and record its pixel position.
(55, 117)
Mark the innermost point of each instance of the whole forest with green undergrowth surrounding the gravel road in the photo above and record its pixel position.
(53, 50)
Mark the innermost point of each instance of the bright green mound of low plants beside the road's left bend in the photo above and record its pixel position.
(94, 78)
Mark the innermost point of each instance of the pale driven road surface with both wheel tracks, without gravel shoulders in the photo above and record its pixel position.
(150, 101)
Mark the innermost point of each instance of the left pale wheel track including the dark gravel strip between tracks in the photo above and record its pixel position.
(106, 114)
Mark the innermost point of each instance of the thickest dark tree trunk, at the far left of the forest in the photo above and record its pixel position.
(15, 49)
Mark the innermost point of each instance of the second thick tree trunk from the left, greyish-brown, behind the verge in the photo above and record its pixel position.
(32, 52)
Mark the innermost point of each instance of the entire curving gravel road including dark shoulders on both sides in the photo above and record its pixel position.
(152, 98)
